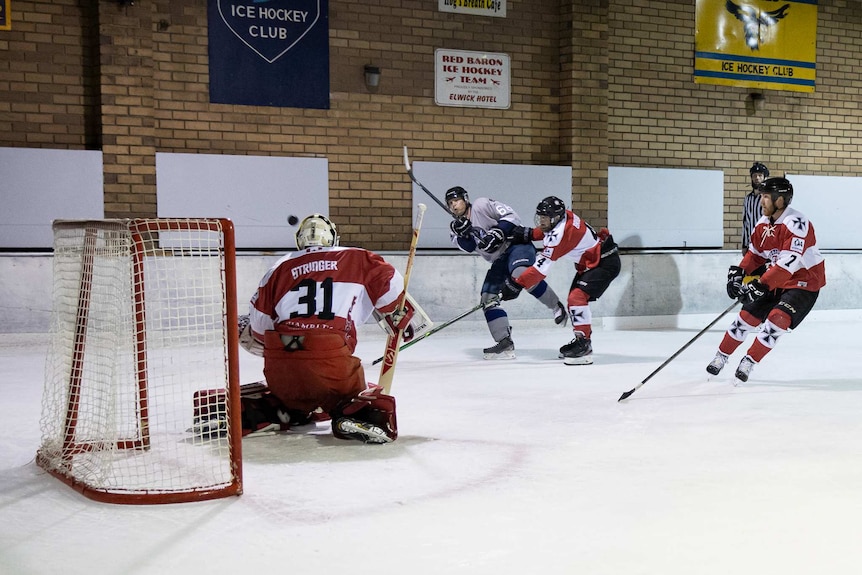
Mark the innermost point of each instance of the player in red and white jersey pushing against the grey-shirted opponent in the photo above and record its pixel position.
(596, 259)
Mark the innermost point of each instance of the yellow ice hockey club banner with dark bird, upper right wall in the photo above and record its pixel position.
(756, 44)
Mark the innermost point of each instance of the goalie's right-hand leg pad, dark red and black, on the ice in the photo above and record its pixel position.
(368, 417)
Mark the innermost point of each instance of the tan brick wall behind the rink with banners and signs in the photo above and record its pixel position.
(594, 83)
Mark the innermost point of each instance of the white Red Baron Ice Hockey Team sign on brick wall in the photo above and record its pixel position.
(472, 79)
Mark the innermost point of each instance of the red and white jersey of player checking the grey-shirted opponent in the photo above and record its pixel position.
(572, 239)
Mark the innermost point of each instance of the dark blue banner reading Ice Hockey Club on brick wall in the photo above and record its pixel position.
(269, 53)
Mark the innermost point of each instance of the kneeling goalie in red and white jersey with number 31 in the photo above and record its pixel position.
(305, 313)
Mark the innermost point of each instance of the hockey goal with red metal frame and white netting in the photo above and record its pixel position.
(144, 315)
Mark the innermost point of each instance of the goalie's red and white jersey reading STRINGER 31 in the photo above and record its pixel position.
(325, 288)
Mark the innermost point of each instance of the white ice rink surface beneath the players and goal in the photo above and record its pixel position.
(524, 467)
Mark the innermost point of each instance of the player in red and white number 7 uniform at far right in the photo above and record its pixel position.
(784, 240)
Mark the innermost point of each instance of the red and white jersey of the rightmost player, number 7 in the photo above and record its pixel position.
(789, 246)
